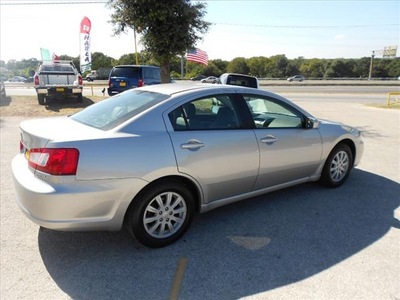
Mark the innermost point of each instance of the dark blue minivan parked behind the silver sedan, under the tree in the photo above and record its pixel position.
(126, 77)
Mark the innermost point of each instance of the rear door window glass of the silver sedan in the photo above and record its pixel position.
(210, 113)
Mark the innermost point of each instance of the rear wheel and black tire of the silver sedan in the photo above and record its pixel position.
(173, 205)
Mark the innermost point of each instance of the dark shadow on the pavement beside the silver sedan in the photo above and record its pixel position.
(235, 251)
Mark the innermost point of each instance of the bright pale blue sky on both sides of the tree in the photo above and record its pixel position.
(321, 29)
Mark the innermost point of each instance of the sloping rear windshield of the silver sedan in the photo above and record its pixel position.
(113, 111)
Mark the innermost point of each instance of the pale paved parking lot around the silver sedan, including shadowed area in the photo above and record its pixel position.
(306, 242)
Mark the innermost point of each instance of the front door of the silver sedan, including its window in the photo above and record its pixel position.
(289, 152)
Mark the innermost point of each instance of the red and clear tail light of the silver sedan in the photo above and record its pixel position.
(54, 161)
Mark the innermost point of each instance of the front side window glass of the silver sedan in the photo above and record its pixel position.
(271, 113)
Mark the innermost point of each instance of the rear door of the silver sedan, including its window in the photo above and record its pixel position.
(212, 147)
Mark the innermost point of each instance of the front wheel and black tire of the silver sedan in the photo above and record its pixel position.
(337, 166)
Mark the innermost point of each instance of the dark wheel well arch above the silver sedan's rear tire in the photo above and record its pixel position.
(187, 182)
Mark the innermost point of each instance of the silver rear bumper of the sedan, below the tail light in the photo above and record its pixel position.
(67, 204)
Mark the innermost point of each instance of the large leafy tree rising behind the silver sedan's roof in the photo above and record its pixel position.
(167, 28)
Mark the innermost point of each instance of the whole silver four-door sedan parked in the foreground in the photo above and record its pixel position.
(151, 158)
